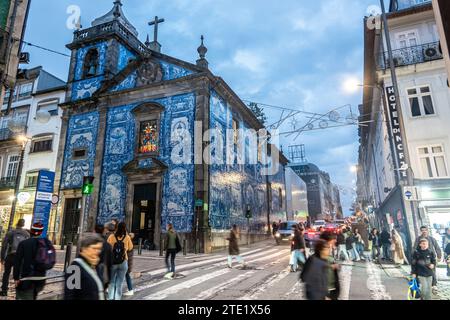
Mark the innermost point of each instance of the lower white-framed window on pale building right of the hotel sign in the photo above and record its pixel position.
(432, 162)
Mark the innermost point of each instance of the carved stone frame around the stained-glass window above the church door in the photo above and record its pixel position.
(147, 112)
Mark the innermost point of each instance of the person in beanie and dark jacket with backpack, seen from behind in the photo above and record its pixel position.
(34, 257)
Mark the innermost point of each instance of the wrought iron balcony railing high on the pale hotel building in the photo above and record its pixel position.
(411, 55)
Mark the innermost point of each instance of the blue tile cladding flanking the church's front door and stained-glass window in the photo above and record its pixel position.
(177, 205)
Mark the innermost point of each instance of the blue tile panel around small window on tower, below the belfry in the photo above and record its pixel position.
(81, 134)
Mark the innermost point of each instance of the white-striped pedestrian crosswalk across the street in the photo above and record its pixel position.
(265, 277)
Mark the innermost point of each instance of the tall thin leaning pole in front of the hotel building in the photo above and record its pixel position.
(409, 173)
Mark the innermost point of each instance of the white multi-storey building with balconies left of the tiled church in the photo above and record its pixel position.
(36, 92)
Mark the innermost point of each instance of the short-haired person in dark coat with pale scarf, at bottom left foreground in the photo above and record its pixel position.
(88, 284)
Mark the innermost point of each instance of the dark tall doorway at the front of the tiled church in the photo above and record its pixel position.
(144, 209)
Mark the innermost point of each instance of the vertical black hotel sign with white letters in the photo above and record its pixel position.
(397, 133)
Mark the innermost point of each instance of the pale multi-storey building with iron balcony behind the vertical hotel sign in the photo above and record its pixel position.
(425, 100)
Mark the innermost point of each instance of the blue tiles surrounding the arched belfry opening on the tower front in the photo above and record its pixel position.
(83, 89)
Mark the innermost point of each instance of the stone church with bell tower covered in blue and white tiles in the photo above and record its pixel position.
(126, 107)
